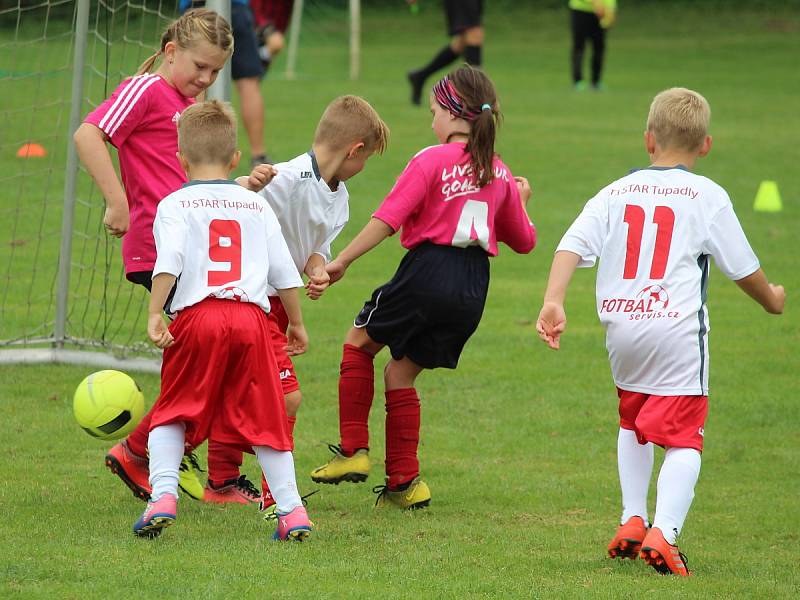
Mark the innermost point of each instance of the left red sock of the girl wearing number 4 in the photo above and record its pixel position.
(356, 388)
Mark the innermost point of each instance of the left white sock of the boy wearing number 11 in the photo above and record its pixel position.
(635, 463)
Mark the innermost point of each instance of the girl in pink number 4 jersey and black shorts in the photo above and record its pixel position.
(453, 202)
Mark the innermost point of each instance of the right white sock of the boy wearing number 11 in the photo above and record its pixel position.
(676, 490)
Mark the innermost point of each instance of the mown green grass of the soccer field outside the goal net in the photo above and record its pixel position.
(518, 444)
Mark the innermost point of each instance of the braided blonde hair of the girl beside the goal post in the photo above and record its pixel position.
(191, 27)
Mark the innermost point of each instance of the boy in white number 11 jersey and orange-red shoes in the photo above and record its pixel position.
(654, 231)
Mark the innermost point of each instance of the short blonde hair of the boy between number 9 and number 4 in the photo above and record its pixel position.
(351, 119)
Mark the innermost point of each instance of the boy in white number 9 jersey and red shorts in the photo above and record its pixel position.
(223, 246)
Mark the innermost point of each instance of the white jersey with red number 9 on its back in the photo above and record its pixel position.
(221, 240)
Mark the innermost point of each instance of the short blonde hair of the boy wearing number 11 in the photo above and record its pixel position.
(679, 118)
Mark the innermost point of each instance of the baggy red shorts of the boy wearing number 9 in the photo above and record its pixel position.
(220, 378)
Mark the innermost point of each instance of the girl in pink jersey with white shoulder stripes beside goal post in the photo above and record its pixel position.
(140, 121)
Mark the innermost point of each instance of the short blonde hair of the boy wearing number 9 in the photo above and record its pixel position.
(207, 133)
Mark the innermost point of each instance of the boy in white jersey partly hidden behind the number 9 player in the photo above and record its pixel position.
(310, 200)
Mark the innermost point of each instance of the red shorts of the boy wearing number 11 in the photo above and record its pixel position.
(669, 421)
